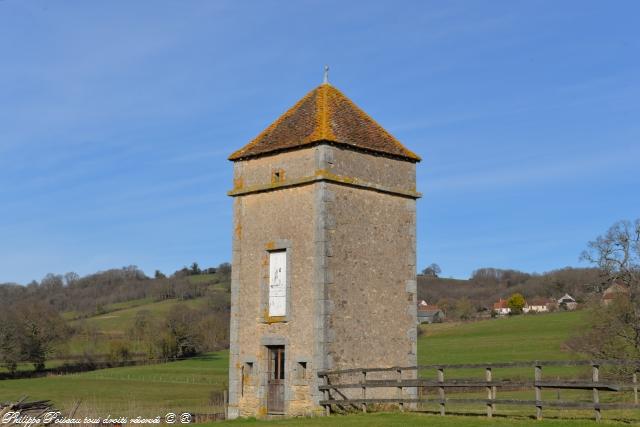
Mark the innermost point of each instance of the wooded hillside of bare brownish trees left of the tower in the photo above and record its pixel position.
(32, 327)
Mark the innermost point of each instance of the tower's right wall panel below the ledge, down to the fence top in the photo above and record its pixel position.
(373, 280)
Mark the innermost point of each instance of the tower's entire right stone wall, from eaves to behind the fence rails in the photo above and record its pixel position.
(370, 247)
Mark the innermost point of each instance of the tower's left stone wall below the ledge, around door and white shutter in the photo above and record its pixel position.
(282, 219)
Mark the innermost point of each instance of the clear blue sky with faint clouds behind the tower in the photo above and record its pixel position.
(116, 119)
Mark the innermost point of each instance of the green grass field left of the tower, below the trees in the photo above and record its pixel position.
(146, 390)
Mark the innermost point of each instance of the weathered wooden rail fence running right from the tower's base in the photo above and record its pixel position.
(336, 393)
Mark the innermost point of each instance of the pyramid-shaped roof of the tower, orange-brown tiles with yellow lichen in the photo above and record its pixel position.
(324, 114)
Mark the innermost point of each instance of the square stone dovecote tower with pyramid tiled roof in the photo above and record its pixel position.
(324, 254)
